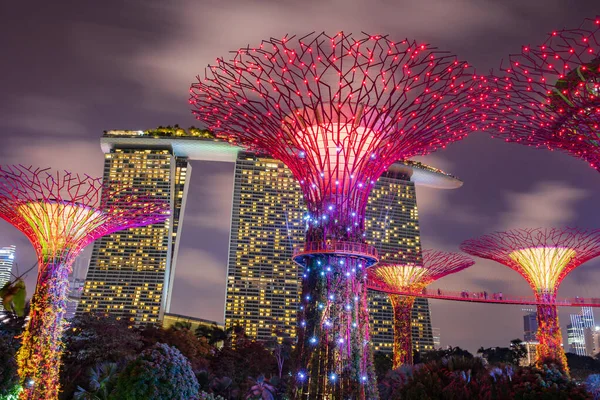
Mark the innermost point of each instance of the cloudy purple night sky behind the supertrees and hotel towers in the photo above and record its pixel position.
(71, 70)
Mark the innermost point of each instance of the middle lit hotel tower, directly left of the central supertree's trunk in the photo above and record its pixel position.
(262, 280)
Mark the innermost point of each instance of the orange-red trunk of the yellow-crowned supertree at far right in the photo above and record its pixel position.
(550, 350)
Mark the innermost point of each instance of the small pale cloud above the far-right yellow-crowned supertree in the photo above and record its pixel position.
(548, 204)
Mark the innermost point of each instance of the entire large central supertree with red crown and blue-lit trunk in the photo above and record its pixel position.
(338, 110)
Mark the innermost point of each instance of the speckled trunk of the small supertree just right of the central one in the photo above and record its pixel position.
(403, 354)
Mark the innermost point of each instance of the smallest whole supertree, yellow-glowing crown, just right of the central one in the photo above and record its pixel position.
(398, 275)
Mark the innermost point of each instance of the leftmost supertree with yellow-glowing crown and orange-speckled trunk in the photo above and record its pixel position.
(60, 213)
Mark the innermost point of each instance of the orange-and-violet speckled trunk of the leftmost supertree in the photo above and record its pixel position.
(40, 353)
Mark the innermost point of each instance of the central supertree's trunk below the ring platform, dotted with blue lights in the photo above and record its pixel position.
(335, 360)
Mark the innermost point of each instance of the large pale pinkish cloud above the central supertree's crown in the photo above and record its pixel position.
(195, 41)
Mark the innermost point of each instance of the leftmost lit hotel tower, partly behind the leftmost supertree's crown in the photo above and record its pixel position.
(131, 272)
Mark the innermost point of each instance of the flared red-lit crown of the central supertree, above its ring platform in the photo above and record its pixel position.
(338, 110)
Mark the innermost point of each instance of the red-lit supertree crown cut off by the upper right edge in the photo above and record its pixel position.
(549, 96)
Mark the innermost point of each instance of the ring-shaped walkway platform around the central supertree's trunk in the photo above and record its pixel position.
(360, 251)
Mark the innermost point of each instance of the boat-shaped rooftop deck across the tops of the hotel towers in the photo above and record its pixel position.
(196, 144)
